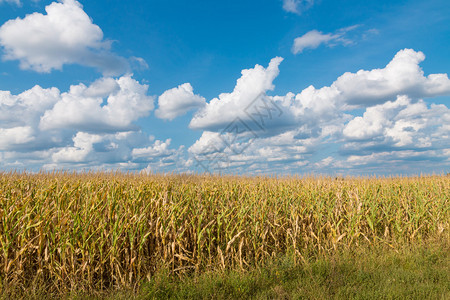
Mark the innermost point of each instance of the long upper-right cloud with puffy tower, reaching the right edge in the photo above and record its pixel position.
(402, 76)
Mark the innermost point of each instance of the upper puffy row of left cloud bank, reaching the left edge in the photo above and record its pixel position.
(107, 105)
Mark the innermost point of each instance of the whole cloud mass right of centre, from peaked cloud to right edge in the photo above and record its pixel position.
(397, 119)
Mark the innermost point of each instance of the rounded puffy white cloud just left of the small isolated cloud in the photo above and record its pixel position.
(83, 108)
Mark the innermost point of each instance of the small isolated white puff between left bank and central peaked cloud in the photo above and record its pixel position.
(178, 101)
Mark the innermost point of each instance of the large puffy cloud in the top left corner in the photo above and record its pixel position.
(65, 35)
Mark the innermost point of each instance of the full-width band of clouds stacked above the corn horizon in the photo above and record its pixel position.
(95, 126)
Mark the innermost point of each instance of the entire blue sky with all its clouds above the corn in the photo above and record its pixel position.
(247, 87)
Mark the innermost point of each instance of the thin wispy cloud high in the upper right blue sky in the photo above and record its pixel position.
(314, 39)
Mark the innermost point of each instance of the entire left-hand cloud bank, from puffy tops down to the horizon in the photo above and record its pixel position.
(88, 127)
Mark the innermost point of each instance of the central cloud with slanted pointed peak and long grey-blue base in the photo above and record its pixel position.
(248, 109)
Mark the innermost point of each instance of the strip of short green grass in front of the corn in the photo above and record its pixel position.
(420, 273)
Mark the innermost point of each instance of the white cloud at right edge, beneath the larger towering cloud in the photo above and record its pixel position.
(401, 123)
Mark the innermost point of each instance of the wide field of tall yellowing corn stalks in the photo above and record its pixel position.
(97, 231)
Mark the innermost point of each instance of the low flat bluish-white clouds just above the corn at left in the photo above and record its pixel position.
(125, 150)
